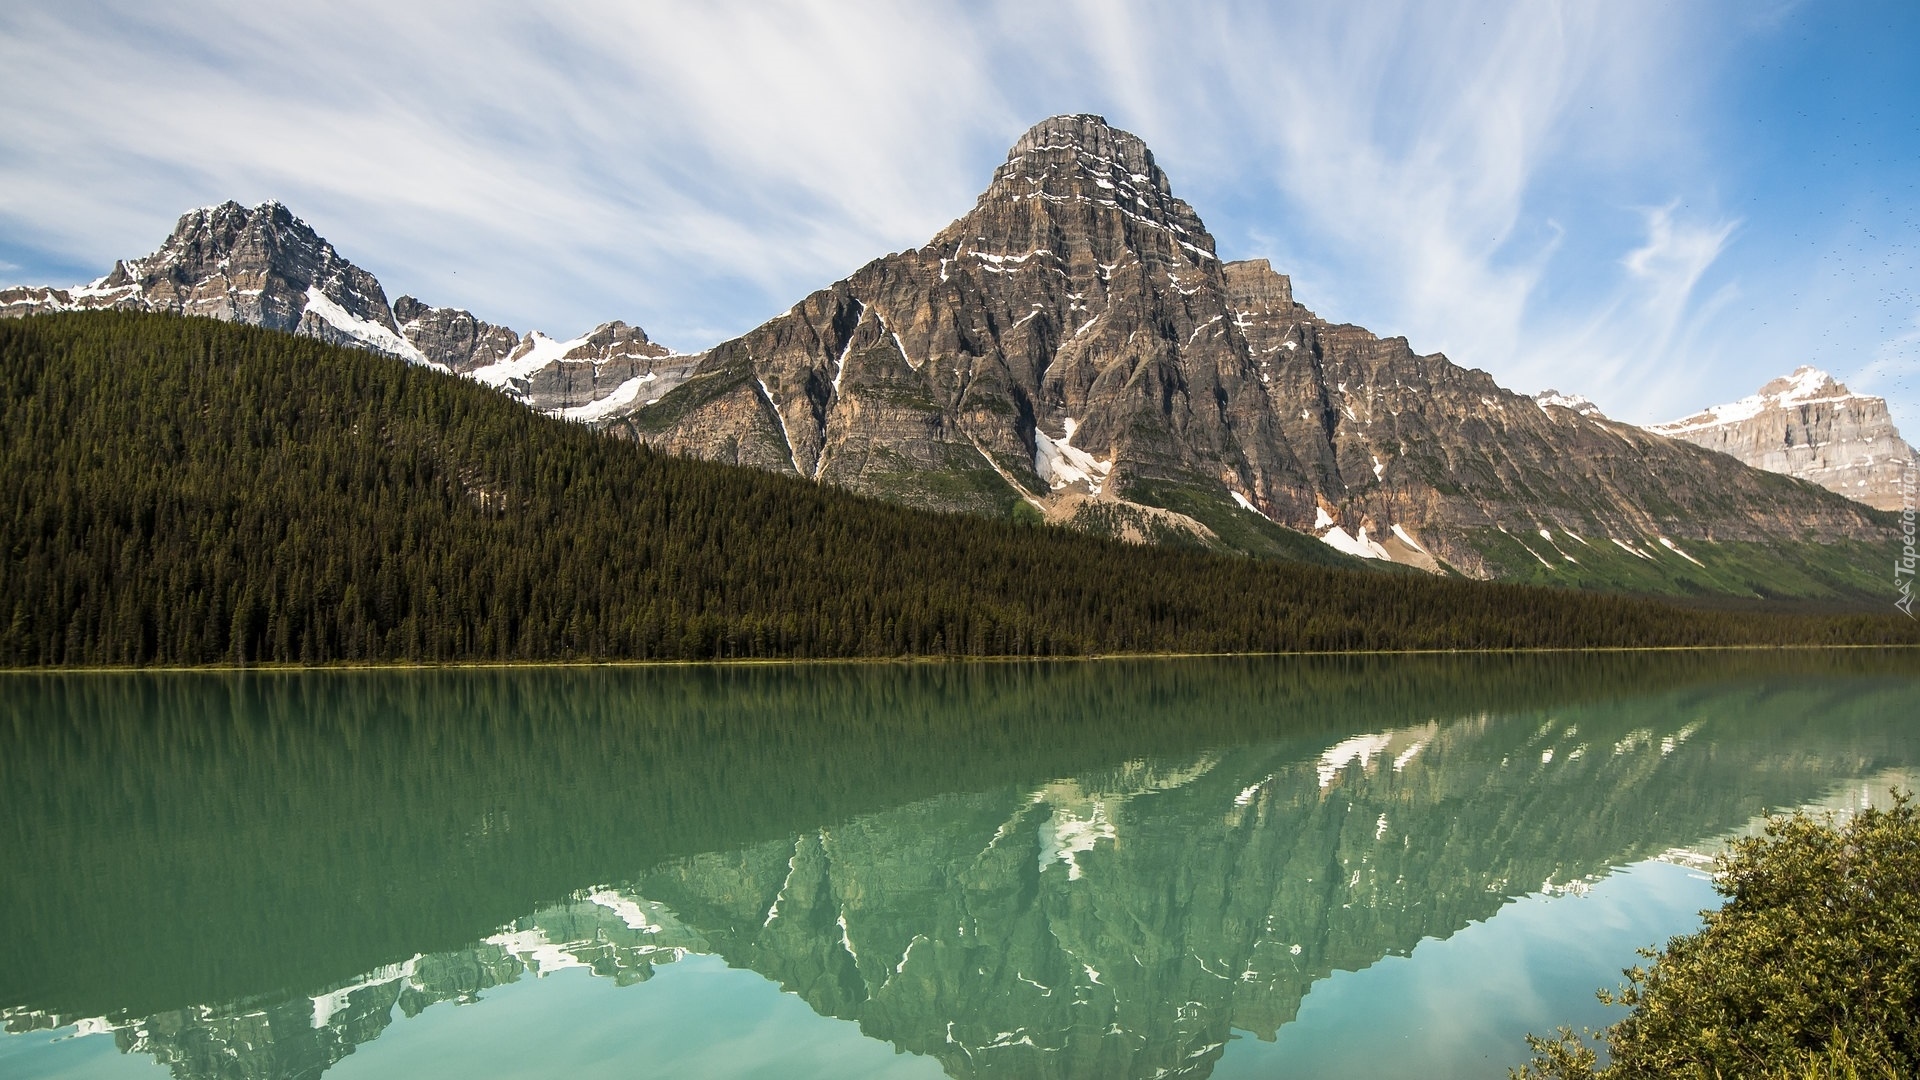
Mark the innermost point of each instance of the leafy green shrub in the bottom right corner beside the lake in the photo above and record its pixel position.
(1810, 970)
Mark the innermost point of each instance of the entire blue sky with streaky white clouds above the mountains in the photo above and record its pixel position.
(1654, 205)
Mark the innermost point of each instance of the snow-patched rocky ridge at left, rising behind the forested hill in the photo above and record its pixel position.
(268, 268)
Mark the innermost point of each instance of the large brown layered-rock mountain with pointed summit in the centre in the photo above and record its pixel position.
(1076, 345)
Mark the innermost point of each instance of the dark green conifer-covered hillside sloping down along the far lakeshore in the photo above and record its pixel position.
(183, 491)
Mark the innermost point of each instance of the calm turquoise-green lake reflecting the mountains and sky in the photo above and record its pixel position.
(1264, 868)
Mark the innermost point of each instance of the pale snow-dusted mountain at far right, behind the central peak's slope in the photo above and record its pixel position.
(1810, 426)
